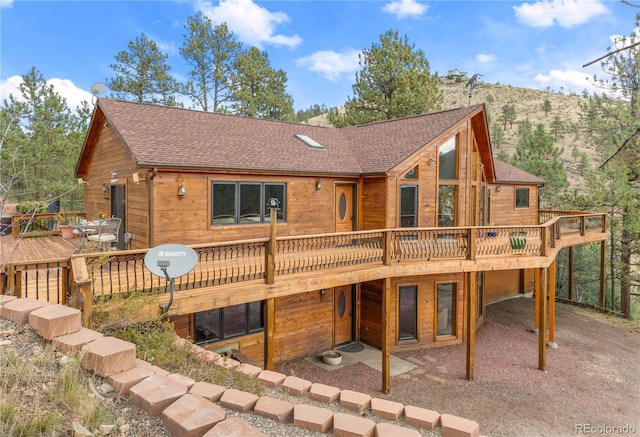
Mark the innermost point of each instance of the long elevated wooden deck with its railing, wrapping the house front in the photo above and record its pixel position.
(41, 267)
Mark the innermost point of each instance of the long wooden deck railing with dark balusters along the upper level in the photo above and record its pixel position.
(225, 263)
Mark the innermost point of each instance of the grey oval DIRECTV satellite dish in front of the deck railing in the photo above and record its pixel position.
(170, 260)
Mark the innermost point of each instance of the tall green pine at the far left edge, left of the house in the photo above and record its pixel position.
(37, 123)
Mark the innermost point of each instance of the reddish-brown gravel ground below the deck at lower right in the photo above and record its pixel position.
(591, 385)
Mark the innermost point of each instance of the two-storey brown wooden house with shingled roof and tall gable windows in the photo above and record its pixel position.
(182, 176)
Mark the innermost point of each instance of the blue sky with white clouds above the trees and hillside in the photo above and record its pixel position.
(533, 44)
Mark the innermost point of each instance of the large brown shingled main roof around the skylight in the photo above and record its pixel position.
(158, 136)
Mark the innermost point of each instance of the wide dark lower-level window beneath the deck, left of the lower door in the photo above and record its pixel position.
(234, 321)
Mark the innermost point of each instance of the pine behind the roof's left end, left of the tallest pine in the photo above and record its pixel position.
(142, 74)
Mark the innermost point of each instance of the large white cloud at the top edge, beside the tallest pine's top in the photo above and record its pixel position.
(251, 23)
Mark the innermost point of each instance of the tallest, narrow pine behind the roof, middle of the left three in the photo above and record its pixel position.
(211, 53)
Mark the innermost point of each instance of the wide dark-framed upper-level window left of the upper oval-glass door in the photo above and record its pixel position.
(245, 202)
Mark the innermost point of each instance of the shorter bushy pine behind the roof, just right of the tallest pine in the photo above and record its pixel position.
(260, 91)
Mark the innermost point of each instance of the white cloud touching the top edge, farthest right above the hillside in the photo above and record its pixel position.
(565, 13)
